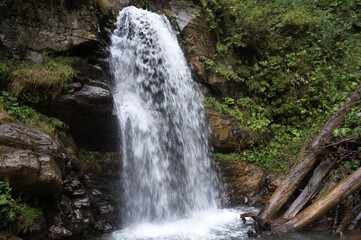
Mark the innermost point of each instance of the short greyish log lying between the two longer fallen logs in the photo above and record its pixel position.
(309, 191)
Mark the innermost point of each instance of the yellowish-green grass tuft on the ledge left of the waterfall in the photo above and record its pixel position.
(50, 78)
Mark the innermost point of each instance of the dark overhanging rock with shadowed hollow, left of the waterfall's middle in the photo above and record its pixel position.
(87, 108)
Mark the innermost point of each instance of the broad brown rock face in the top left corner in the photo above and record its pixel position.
(55, 25)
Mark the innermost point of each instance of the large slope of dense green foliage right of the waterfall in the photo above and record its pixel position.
(298, 61)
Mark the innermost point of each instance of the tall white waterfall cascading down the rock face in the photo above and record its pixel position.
(167, 173)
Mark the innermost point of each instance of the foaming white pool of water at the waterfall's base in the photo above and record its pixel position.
(219, 224)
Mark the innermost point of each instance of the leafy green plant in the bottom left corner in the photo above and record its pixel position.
(16, 216)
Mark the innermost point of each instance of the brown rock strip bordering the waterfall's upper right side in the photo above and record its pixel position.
(201, 42)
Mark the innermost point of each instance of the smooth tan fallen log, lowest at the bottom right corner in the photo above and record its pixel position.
(321, 207)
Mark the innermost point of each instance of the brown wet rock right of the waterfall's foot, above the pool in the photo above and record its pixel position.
(243, 183)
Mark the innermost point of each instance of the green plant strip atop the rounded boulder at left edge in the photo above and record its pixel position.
(29, 116)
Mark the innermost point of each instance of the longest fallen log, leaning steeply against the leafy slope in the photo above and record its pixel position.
(306, 161)
